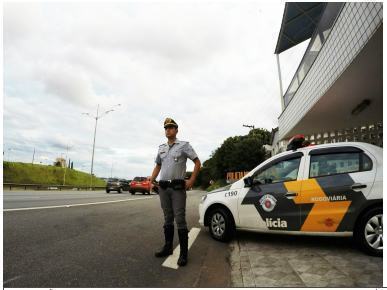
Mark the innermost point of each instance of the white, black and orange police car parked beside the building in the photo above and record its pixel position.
(329, 189)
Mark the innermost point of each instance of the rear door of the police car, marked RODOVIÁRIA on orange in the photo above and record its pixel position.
(339, 180)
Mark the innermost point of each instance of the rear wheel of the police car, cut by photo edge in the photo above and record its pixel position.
(368, 232)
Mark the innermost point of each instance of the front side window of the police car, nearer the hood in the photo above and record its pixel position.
(285, 170)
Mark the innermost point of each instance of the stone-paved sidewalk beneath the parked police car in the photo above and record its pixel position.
(263, 260)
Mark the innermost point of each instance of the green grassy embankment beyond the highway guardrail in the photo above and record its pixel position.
(27, 173)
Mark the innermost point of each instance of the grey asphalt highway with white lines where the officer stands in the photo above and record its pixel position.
(101, 245)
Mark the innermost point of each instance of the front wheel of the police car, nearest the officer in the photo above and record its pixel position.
(221, 225)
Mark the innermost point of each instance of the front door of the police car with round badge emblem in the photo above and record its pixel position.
(268, 203)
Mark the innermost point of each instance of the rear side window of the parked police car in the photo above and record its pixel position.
(337, 163)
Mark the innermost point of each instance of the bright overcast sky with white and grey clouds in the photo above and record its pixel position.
(209, 65)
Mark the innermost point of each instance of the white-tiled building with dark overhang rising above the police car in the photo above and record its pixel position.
(336, 94)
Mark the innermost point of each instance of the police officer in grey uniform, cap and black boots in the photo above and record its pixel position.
(171, 164)
